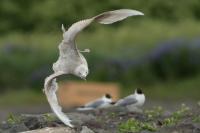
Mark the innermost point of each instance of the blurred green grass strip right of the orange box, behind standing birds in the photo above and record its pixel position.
(187, 89)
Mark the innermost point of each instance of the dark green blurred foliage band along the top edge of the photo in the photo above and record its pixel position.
(45, 15)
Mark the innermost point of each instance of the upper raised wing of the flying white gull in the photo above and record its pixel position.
(104, 18)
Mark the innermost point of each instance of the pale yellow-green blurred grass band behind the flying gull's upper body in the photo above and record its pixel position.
(140, 36)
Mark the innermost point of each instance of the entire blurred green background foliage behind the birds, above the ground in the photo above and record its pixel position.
(159, 51)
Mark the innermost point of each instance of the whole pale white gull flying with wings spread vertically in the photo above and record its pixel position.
(71, 61)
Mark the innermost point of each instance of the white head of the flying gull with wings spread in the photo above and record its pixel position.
(82, 71)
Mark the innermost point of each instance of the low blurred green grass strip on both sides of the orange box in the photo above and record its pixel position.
(187, 89)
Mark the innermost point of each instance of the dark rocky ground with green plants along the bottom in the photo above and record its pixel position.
(183, 119)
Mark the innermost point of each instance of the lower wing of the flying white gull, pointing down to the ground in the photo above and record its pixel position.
(50, 88)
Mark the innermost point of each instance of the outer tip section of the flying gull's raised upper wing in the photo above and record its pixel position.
(116, 15)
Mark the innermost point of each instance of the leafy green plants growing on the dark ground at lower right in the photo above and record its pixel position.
(154, 116)
